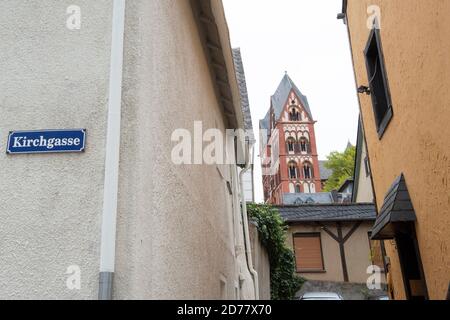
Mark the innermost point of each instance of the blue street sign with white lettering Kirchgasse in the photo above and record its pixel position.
(46, 141)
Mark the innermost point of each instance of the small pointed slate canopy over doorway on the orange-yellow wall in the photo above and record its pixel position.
(396, 214)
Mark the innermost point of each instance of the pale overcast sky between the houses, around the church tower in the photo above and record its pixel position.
(304, 38)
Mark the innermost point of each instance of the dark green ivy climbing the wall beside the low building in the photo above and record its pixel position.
(272, 230)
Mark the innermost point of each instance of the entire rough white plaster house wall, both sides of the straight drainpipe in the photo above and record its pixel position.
(179, 230)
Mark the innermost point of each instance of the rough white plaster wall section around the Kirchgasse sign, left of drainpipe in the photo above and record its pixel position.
(50, 205)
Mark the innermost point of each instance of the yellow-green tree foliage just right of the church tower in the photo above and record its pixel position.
(343, 166)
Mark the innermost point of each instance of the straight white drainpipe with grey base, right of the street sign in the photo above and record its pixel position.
(111, 186)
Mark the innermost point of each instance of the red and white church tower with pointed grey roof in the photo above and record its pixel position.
(288, 145)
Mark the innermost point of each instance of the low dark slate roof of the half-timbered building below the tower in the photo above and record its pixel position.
(328, 212)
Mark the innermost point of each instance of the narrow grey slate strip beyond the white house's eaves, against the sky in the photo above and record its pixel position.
(245, 104)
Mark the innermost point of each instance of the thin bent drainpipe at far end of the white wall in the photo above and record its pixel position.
(248, 248)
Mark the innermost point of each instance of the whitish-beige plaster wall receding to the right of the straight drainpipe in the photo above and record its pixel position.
(176, 229)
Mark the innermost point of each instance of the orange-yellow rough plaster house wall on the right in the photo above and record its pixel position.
(416, 42)
